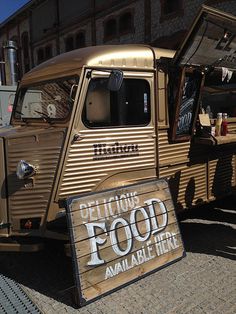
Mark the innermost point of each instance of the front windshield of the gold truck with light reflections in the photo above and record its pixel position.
(48, 100)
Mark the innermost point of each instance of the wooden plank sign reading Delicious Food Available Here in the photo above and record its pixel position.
(120, 235)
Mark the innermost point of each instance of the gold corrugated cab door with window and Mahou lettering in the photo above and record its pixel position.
(113, 140)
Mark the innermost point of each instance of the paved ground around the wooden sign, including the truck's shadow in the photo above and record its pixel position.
(203, 282)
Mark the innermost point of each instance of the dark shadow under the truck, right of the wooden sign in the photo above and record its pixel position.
(209, 229)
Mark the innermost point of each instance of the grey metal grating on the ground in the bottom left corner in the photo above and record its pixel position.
(13, 299)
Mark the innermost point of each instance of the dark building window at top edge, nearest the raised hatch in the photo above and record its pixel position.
(171, 9)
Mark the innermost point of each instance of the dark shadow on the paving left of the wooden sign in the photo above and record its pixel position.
(49, 272)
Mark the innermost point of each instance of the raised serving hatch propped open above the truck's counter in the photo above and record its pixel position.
(211, 41)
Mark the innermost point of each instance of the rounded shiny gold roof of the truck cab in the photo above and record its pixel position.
(109, 56)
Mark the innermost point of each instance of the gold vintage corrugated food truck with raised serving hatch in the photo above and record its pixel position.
(109, 116)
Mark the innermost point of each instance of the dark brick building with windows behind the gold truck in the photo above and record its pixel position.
(45, 28)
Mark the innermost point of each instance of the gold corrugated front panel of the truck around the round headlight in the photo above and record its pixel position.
(29, 198)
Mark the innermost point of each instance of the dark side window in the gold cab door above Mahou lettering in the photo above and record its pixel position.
(129, 106)
